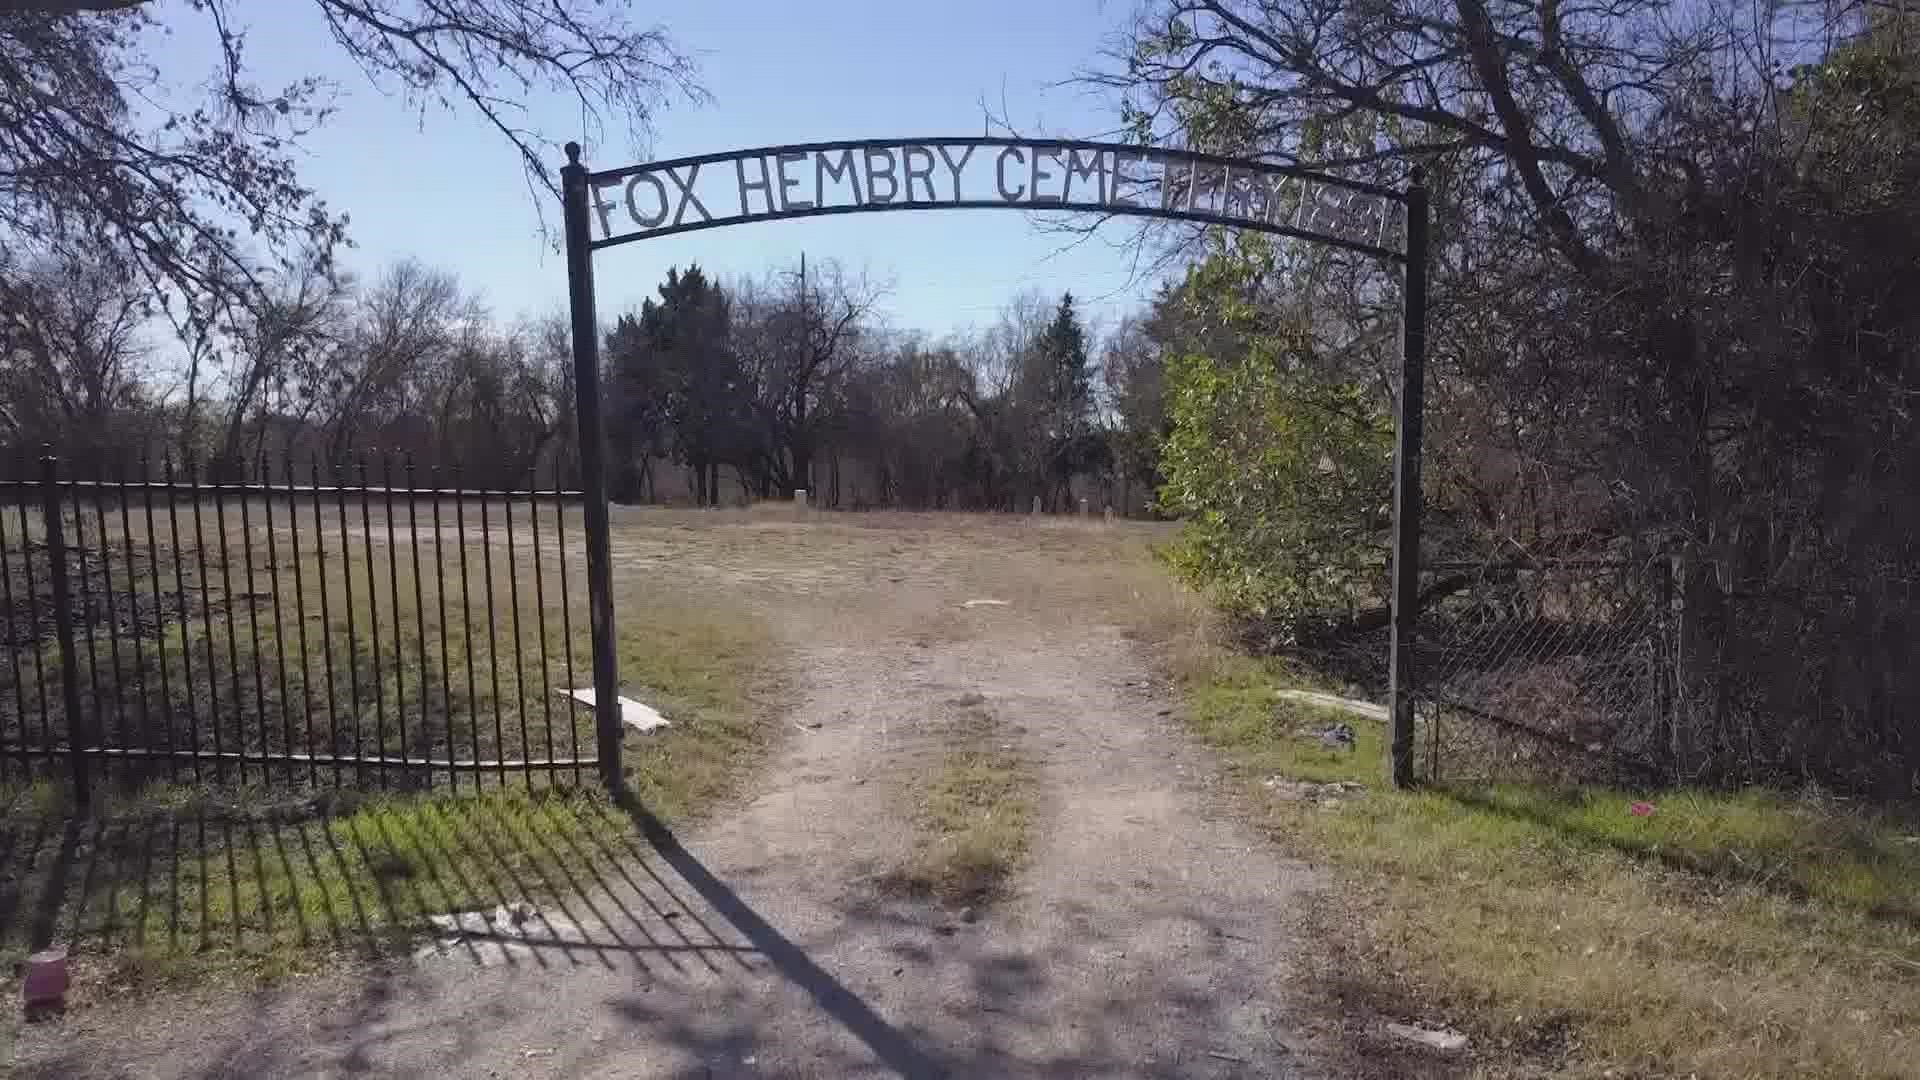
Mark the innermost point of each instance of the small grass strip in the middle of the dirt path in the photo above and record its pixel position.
(972, 822)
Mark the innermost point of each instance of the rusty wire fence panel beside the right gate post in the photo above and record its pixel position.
(1545, 668)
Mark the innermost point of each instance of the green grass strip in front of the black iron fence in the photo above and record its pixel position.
(191, 887)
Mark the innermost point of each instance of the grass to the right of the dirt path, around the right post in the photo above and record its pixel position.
(1721, 935)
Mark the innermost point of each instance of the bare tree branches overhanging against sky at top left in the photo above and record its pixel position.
(199, 201)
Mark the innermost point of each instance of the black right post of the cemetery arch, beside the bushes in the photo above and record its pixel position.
(1408, 485)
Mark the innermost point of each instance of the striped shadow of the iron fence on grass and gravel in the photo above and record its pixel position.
(153, 893)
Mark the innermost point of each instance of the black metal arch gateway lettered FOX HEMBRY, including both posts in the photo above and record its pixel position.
(875, 176)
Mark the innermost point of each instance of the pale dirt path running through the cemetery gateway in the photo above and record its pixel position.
(1149, 935)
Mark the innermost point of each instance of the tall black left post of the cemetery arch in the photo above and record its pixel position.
(592, 468)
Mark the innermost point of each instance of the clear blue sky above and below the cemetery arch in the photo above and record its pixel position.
(450, 191)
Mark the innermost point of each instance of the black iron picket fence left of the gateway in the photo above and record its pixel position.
(364, 624)
